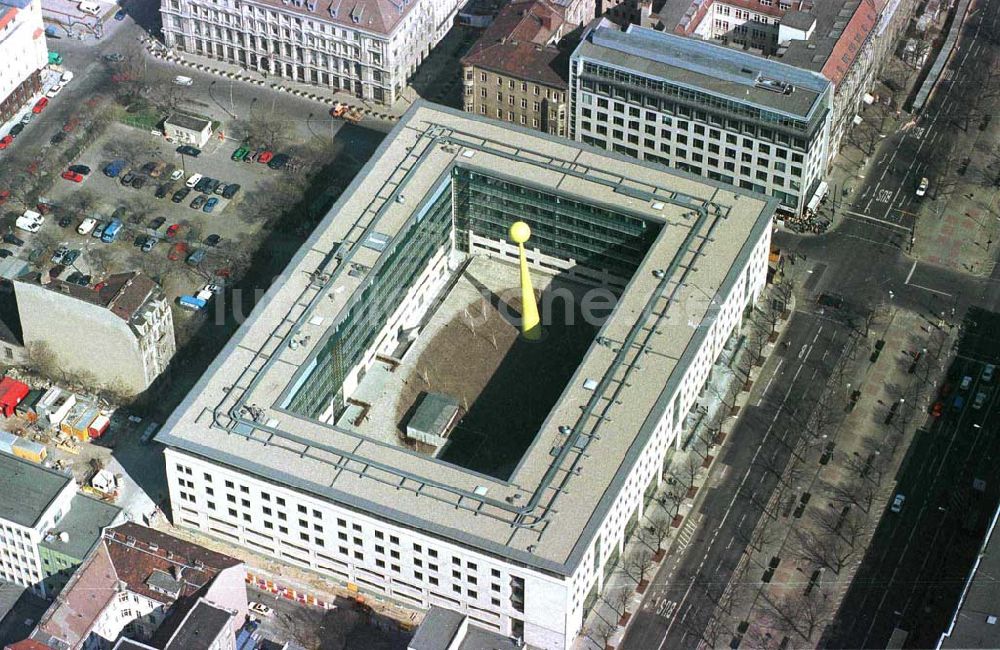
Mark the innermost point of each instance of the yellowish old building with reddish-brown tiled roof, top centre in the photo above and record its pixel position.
(516, 71)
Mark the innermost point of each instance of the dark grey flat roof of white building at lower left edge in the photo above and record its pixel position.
(27, 489)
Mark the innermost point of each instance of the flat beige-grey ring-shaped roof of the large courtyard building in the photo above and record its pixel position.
(551, 501)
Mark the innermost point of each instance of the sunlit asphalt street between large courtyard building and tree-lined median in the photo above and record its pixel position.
(683, 594)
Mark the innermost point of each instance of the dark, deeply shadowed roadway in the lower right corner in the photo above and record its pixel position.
(917, 563)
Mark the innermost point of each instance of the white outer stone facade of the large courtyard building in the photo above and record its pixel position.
(419, 569)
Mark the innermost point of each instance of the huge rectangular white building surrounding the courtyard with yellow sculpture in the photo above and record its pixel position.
(679, 252)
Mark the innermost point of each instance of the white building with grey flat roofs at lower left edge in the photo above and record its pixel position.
(46, 527)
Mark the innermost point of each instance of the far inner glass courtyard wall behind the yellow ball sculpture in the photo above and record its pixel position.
(561, 227)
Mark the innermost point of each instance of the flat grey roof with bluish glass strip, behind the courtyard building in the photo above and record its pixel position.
(710, 68)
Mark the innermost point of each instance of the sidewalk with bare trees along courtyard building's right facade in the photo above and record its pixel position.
(704, 431)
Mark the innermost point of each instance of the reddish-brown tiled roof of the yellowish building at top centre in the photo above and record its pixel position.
(517, 43)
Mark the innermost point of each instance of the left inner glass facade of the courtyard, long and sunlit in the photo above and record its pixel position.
(383, 291)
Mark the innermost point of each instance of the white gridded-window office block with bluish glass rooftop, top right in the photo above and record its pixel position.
(702, 108)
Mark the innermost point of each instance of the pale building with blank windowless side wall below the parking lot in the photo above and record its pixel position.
(129, 335)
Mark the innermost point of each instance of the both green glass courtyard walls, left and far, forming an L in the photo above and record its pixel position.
(564, 228)
